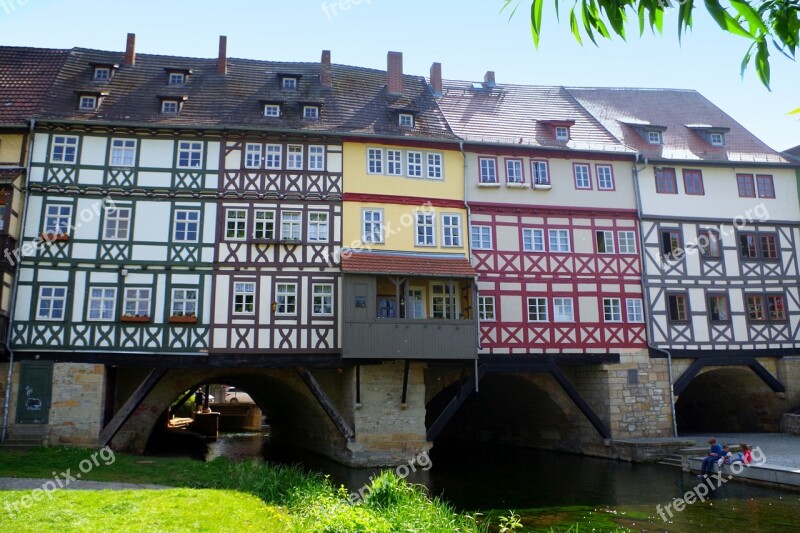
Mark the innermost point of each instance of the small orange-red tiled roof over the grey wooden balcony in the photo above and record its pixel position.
(406, 265)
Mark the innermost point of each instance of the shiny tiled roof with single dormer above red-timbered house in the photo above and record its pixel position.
(519, 114)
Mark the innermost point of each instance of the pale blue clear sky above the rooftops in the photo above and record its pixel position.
(468, 38)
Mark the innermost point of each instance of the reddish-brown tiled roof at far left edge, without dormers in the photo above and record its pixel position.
(26, 75)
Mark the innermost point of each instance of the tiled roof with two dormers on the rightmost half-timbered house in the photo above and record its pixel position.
(684, 114)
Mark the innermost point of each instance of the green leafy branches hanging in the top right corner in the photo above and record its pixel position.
(762, 22)
